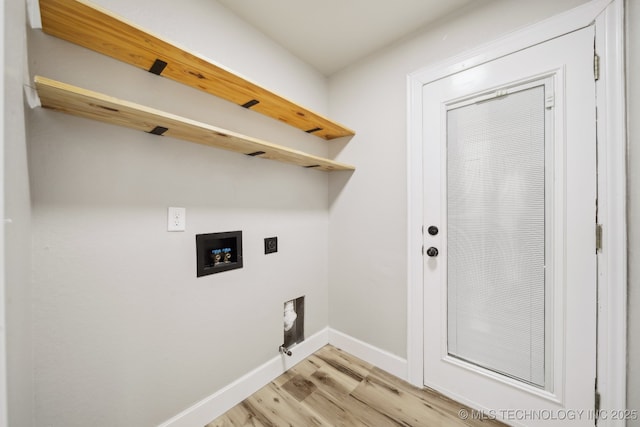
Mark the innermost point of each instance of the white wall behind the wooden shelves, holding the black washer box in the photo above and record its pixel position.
(124, 333)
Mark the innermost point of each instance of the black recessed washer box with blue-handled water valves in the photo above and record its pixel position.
(218, 252)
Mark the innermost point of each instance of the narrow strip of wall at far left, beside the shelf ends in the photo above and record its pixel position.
(17, 239)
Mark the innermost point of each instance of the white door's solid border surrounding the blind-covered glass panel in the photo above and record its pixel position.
(570, 219)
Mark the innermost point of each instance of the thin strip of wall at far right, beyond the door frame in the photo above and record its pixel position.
(633, 100)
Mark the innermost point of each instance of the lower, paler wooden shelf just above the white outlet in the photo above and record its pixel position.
(84, 103)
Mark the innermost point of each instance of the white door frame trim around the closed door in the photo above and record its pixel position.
(608, 16)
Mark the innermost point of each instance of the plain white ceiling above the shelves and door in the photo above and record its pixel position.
(331, 34)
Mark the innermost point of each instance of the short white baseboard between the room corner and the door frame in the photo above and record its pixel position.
(382, 359)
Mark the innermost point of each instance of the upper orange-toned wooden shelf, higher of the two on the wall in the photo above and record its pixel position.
(90, 26)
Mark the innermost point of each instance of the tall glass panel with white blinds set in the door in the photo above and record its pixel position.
(496, 234)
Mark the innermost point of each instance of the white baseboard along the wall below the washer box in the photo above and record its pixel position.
(226, 398)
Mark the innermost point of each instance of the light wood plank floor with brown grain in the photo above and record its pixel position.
(333, 388)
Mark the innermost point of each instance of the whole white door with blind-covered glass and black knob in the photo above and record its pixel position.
(510, 272)
